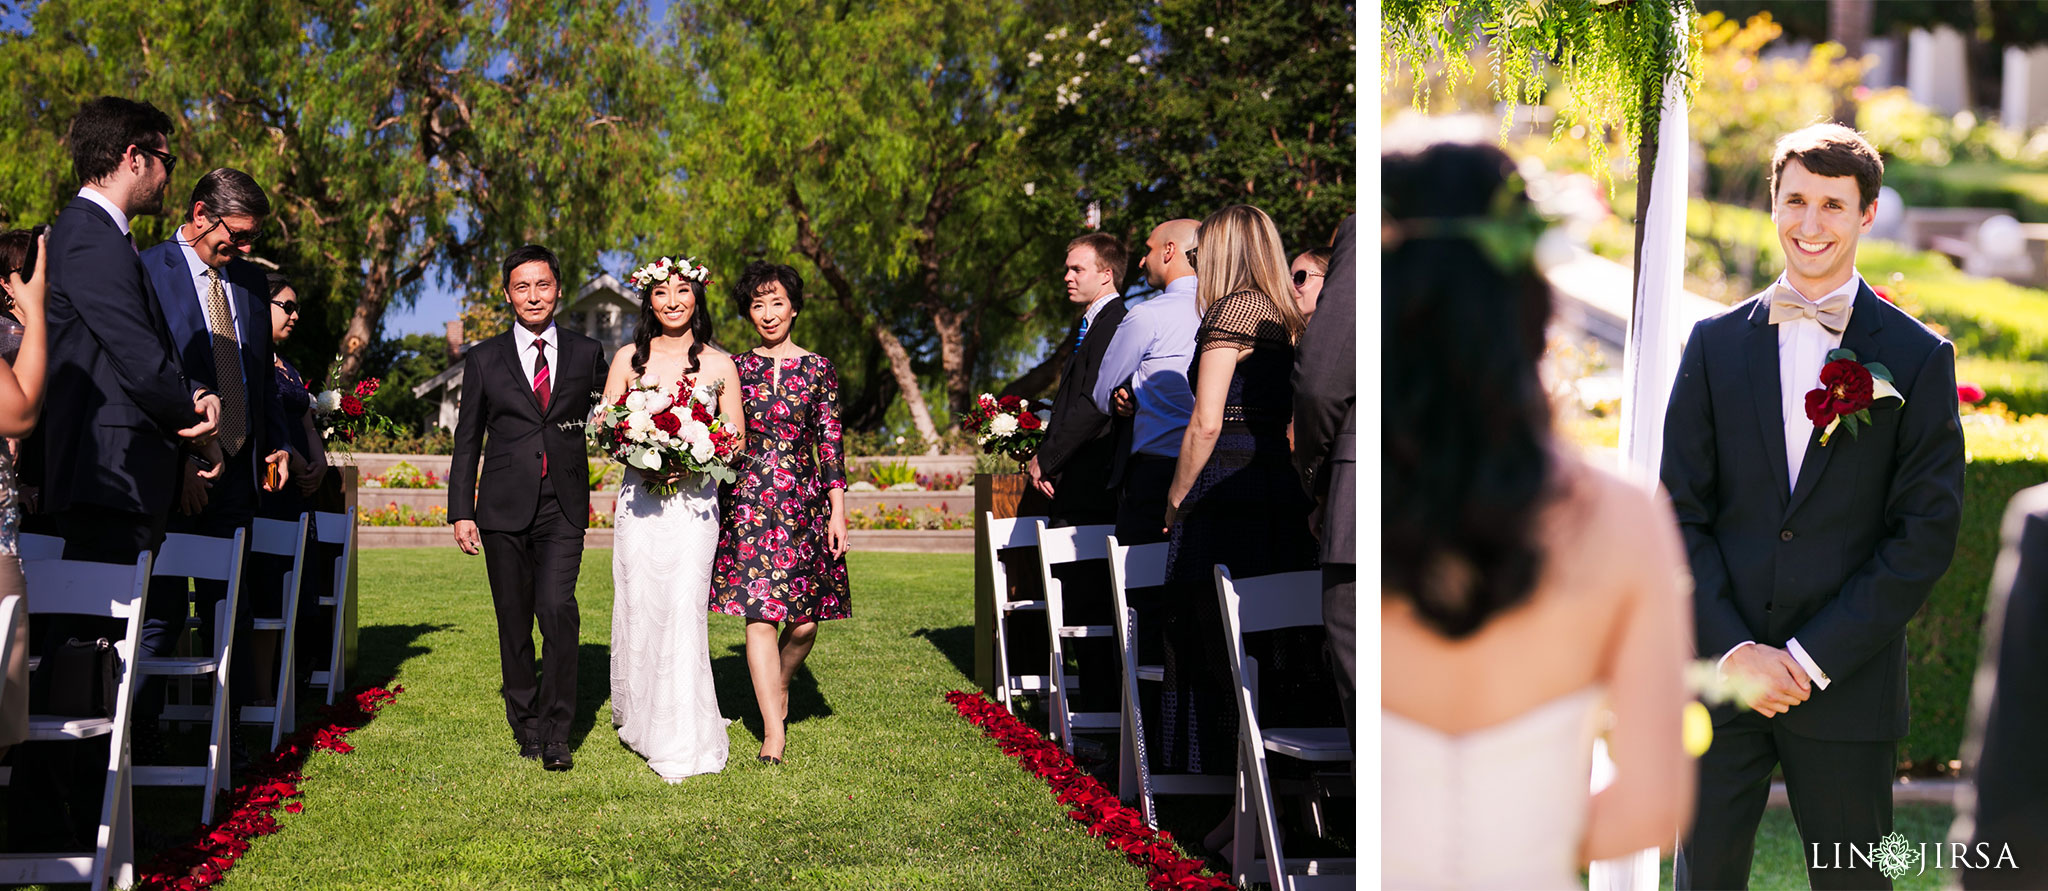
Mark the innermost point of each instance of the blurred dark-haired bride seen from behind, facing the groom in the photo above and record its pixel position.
(1510, 620)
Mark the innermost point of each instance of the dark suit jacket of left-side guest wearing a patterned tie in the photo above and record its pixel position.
(177, 296)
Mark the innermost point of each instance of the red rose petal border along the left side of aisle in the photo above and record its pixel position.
(275, 777)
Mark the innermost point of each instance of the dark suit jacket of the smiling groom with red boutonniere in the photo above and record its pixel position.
(1844, 558)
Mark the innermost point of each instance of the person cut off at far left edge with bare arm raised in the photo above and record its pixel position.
(22, 400)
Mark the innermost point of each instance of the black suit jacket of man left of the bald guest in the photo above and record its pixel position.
(1080, 443)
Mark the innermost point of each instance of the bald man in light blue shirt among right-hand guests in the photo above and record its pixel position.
(1146, 376)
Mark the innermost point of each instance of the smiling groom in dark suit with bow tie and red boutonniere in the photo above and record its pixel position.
(1811, 548)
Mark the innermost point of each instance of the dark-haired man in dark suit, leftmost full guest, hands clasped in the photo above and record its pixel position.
(114, 419)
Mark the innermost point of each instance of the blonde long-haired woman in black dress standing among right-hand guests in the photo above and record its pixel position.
(1236, 497)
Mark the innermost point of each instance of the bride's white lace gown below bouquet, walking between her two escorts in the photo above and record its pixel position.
(663, 697)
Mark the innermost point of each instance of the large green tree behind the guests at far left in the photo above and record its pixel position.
(396, 140)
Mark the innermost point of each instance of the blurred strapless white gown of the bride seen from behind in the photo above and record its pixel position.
(1498, 808)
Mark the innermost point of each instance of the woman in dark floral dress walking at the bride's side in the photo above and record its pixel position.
(783, 538)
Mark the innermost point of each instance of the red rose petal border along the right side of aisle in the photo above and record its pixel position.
(1089, 800)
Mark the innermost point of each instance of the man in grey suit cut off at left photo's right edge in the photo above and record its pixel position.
(1326, 452)
